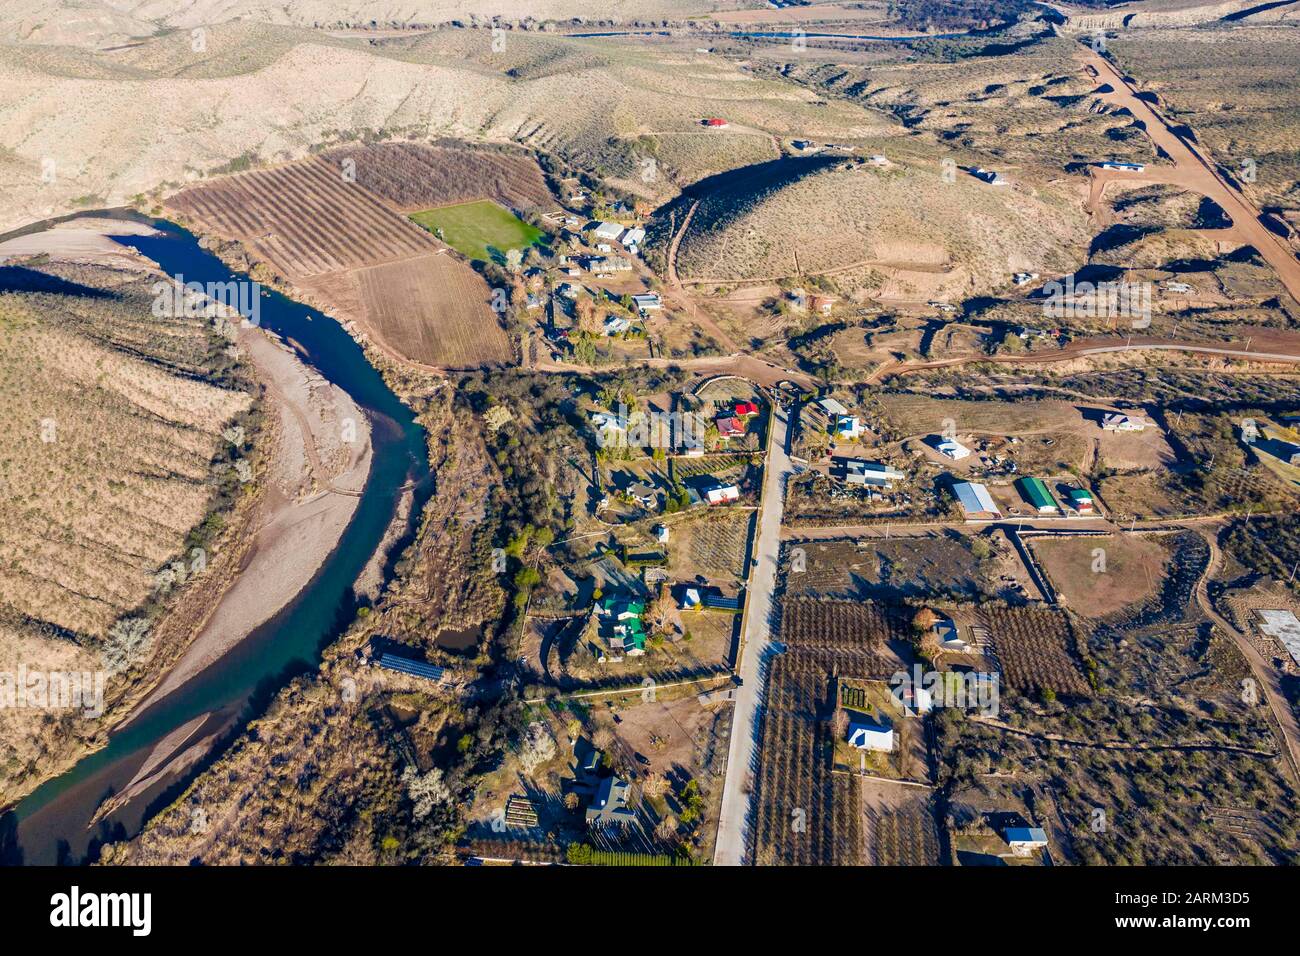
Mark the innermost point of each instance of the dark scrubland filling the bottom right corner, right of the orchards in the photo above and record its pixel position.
(1165, 752)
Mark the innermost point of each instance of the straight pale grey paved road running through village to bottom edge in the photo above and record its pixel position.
(755, 646)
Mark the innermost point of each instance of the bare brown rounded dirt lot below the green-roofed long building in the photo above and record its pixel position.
(1129, 572)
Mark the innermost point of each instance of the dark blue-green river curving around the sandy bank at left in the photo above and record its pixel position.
(53, 825)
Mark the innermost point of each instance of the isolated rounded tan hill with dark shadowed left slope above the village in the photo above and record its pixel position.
(967, 236)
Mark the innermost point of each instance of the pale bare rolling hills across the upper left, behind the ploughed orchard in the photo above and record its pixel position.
(75, 141)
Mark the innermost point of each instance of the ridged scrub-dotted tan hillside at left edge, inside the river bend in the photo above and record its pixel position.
(114, 465)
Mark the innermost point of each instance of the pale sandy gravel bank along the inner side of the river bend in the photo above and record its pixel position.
(317, 452)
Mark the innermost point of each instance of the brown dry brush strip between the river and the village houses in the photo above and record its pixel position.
(341, 793)
